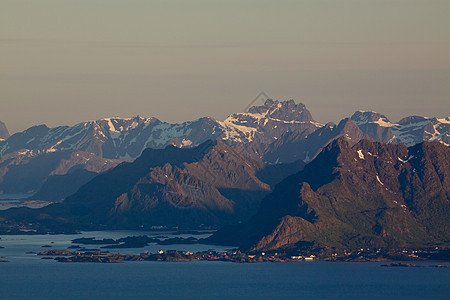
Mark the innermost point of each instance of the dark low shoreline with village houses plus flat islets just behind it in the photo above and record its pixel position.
(82, 250)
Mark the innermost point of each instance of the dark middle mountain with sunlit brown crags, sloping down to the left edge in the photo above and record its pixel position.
(208, 185)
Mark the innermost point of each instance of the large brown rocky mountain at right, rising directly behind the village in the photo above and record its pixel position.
(368, 195)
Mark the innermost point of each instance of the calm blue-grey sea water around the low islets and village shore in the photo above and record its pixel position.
(26, 276)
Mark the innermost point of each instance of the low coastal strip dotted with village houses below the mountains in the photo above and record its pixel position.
(236, 256)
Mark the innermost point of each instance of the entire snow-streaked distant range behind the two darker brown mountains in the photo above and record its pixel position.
(274, 132)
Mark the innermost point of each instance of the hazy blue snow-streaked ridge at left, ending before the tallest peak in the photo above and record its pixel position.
(95, 146)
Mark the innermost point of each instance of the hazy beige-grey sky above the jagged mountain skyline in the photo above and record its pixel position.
(67, 61)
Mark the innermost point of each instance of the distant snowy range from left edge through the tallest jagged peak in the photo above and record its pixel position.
(99, 145)
